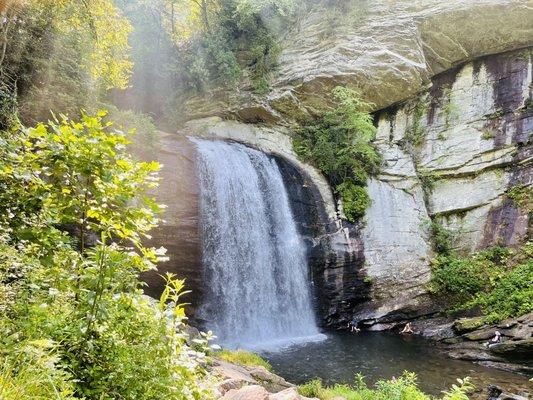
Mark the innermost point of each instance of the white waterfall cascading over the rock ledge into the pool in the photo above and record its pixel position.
(257, 278)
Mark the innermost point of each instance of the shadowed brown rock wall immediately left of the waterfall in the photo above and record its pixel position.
(178, 232)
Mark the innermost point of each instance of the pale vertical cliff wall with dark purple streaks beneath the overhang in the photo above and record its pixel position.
(452, 154)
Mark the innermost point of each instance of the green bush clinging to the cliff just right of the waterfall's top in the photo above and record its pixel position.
(339, 144)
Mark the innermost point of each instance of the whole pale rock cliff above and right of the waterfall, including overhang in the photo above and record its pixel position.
(454, 129)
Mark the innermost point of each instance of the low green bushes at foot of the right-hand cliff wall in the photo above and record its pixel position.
(496, 280)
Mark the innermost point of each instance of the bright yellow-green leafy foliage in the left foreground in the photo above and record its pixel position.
(71, 228)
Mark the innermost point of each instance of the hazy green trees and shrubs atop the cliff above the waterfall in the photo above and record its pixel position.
(220, 39)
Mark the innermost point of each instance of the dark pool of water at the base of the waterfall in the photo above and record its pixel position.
(383, 356)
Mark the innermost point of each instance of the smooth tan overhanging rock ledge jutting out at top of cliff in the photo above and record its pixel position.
(389, 49)
